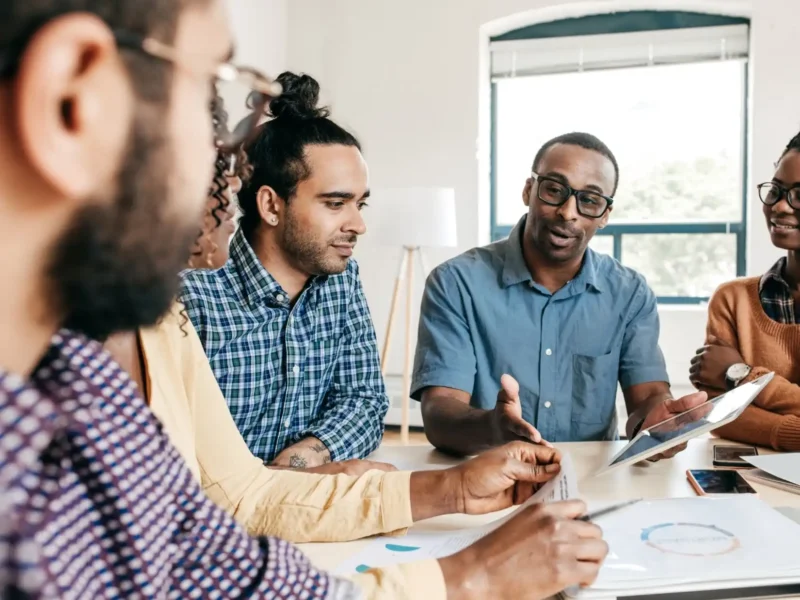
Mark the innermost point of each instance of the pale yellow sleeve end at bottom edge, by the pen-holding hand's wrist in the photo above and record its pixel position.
(411, 581)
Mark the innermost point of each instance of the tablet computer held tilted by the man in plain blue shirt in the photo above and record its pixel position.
(692, 423)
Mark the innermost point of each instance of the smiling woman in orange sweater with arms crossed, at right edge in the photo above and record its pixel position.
(754, 325)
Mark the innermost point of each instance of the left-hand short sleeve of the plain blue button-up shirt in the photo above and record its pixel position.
(445, 354)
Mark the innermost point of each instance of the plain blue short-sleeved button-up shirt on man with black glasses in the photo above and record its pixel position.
(483, 316)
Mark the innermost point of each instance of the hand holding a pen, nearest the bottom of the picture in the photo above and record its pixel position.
(535, 555)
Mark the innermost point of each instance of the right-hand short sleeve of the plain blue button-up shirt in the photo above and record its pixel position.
(641, 359)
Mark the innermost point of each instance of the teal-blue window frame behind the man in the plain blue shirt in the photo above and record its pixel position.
(609, 25)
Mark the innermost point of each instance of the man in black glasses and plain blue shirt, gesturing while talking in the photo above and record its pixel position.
(528, 338)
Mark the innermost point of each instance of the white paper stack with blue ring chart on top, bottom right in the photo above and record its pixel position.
(695, 544)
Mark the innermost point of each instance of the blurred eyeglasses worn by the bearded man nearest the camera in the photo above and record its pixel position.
(263, 88)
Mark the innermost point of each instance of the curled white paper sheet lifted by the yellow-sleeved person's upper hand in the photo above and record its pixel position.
(385, 551)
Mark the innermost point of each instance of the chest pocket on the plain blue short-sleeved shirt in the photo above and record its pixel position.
(594, 390)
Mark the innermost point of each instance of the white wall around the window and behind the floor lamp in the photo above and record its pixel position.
(406, 77)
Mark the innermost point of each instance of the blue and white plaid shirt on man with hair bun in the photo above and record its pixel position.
(290, 372)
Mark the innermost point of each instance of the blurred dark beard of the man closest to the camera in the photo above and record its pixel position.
(116, 267)
